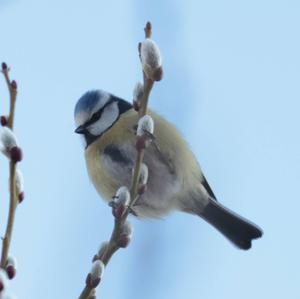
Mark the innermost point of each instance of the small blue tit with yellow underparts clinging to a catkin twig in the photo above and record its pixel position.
(176, 182)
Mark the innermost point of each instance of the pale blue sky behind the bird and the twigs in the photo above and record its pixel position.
(231, 85)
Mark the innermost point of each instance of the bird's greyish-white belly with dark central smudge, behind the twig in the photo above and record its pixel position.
(162, 186)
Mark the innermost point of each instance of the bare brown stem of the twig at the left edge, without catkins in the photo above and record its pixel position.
(12, 87)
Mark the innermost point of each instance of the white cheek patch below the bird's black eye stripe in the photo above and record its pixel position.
(108, 117)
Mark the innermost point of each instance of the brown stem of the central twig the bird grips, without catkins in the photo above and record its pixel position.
(112, 245)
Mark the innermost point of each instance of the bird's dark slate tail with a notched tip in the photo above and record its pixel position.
(236, 228)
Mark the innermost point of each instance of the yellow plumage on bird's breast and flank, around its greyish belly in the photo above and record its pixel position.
(170, 143)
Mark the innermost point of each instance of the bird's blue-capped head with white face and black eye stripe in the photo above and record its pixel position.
(96, 111)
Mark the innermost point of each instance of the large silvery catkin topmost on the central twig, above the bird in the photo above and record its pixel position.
(151, 60)
